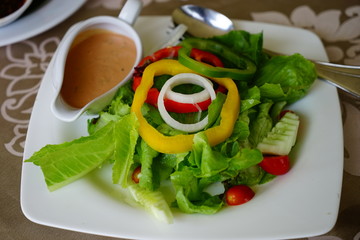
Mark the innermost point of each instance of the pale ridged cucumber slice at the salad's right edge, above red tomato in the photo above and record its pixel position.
(282, 136)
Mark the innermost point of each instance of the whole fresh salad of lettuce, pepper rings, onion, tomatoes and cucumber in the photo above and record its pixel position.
(208, 112)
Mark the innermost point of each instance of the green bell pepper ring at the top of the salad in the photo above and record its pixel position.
(245, 67)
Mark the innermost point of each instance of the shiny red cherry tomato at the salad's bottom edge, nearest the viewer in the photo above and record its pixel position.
(239, 194)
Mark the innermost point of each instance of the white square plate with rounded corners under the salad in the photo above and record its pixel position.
(302, 203)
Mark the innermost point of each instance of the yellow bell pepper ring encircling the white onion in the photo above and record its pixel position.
(183, 142)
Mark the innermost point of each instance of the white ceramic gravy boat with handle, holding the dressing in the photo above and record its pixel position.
(122, 25)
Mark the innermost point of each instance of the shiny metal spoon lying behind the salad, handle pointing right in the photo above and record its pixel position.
(205, 22)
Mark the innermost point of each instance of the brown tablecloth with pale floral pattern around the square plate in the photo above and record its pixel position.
(336, 23)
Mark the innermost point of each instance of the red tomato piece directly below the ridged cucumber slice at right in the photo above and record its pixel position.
(276, 165)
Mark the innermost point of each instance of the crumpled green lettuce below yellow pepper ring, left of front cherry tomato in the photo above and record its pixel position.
(203, 167)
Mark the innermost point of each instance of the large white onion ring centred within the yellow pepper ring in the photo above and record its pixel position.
(184, 78)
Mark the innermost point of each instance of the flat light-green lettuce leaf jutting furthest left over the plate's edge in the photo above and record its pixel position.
(64, 163)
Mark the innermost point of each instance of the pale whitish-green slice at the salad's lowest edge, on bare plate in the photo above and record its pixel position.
(152, 201)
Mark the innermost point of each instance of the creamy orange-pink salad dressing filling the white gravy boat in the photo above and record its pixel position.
(97, 61)
